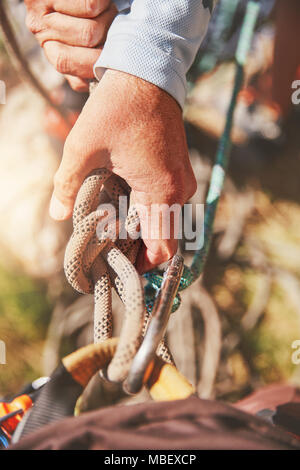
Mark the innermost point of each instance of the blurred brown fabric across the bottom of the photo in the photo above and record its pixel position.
(183, 425)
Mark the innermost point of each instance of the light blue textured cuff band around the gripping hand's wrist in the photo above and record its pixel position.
(127, 53)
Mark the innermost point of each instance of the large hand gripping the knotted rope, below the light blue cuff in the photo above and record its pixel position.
(134, 129)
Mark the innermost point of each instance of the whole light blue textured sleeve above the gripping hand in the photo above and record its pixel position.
(156, 40)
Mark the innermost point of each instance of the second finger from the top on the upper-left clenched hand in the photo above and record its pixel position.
(74, 31)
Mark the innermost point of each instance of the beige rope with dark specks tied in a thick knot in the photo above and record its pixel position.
(97, 259)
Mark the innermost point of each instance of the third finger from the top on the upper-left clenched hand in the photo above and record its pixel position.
(69, 60)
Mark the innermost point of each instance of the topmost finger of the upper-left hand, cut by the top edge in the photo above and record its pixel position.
(81, 8)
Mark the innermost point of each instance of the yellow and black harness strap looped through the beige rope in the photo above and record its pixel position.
(58, 397)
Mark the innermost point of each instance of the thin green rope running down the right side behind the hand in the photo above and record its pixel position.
(190, 274)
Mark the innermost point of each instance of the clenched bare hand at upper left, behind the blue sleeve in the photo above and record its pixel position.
(71, 34)
